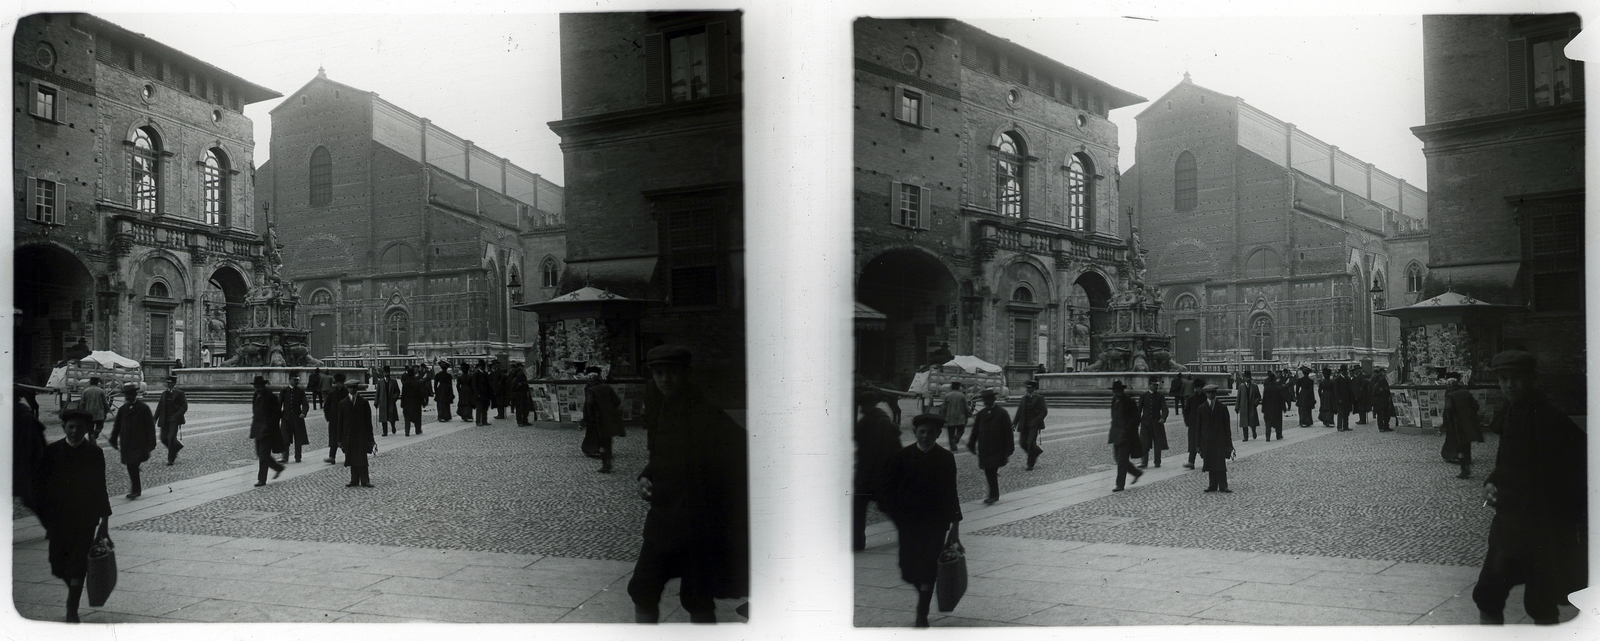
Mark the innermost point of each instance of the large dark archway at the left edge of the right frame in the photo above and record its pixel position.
(921, 300)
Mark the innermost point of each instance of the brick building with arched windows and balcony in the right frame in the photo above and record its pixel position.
(986, 201)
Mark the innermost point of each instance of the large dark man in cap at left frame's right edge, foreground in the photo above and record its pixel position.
(698, 492)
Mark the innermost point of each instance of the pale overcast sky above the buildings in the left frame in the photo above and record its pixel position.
(492, 79)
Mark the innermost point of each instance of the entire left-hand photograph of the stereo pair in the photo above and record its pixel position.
(372, 319)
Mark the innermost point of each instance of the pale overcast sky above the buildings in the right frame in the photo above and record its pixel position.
(1351, 82)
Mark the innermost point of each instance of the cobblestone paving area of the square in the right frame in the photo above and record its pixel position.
(1358, 495)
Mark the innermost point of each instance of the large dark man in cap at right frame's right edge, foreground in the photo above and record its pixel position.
(1540, 493)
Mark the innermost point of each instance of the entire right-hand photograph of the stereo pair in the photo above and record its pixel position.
(1170, 320)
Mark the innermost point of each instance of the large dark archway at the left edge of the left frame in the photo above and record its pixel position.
(55, 297)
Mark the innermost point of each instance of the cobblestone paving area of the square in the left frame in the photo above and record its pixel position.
(502, 488)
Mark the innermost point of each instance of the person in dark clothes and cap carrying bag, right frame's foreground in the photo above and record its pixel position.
(919, 495)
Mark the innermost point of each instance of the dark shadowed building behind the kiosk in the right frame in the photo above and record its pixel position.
(1505, 143)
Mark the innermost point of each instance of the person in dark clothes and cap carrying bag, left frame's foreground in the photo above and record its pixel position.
(73, 503)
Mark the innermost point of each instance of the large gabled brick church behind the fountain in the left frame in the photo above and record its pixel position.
(402, 237)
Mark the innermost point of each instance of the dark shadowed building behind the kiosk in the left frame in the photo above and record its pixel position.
(652, 116)
